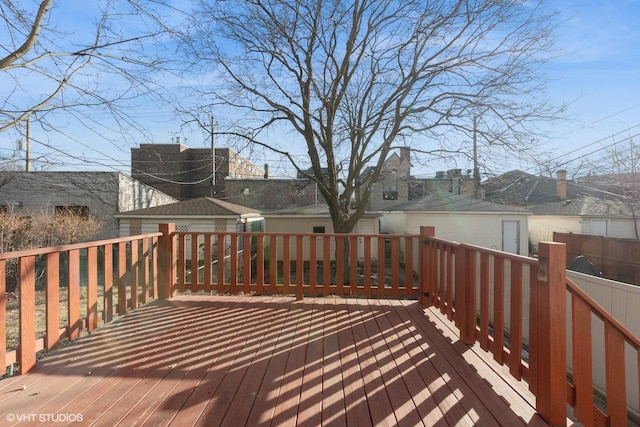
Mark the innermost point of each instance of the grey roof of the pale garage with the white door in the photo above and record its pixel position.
(449, 202)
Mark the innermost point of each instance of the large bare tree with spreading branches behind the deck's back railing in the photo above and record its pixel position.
(356, 79)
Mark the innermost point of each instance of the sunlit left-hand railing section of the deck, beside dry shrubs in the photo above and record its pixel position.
(65, 290)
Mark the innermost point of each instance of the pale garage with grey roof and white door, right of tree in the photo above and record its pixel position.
(462, 219)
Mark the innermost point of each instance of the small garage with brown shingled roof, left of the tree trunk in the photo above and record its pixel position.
(204, 214)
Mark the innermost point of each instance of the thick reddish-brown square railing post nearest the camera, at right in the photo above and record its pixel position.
(551, 337)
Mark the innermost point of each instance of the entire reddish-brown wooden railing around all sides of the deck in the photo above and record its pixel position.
(515, 307)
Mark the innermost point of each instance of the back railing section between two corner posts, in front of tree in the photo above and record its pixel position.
(301, 264)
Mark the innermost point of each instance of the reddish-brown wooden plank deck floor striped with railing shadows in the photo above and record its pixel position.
(201, 360)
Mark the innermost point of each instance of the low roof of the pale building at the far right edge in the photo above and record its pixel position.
(589, 206)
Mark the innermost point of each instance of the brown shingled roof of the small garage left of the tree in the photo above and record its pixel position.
(203, 206)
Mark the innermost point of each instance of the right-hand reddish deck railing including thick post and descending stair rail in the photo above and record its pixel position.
(516, 308)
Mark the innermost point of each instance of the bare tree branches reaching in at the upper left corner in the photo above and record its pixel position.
(95, 66)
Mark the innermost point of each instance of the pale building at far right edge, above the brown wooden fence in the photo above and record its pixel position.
(585, 215)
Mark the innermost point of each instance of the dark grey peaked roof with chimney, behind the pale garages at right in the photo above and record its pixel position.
(521, 188)
